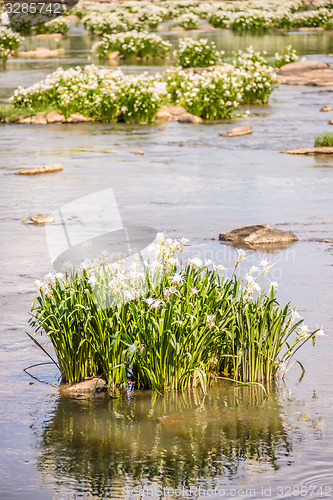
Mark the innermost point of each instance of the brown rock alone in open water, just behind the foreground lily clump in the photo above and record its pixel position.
(258, 234)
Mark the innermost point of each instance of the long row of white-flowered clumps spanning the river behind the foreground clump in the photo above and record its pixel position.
(111, 95)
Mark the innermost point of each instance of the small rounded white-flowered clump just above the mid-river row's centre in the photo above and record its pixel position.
(197, 53)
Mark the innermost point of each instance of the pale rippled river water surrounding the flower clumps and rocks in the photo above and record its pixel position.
(190, 182)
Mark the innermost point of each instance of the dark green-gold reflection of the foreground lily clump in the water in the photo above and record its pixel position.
(105, 443)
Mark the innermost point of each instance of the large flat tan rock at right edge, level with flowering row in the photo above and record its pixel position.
(315, 73)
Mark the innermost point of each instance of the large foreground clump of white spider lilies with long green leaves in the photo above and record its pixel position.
(165, 324)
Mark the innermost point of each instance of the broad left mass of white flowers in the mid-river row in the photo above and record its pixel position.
(99, 93)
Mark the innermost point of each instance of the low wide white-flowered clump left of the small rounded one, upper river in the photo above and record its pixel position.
(133, 43)
